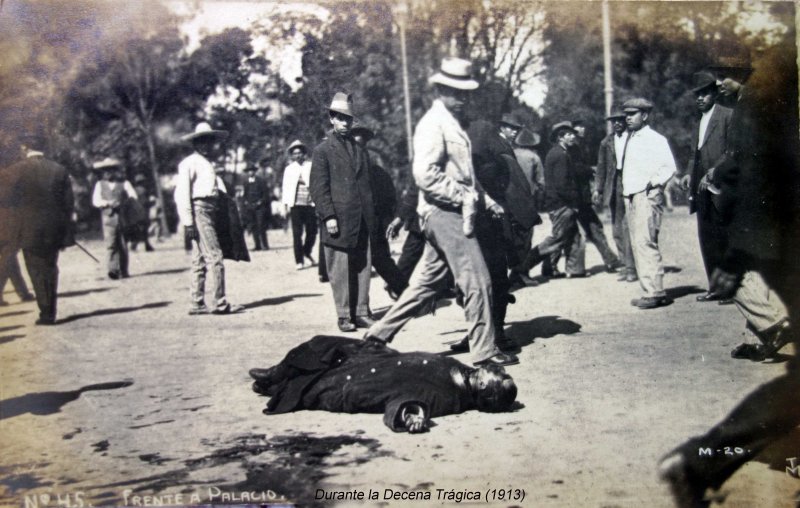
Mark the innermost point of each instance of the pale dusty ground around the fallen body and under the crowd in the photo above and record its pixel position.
(129, 396)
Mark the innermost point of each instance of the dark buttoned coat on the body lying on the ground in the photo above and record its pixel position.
(337, 374)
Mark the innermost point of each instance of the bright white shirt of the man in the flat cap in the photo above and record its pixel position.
(648, 160)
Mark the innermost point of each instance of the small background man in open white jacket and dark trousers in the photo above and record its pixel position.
(298, 204)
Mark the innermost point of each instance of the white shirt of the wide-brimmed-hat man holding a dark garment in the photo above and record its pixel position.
(196, 179)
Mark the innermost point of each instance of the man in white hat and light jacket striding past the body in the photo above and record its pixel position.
(445, 175)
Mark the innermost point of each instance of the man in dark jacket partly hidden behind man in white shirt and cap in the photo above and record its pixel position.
(608, 191)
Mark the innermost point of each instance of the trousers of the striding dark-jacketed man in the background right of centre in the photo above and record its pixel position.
(565, 237)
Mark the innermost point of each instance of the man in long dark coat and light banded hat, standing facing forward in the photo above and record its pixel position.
(340, 189)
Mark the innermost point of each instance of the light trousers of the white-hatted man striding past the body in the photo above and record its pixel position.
(447, 249)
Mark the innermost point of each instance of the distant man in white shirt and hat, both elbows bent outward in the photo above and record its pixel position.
(110, 194)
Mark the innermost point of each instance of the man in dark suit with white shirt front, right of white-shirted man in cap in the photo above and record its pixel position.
(709, 136)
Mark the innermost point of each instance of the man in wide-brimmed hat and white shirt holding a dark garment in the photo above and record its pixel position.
(197, 191)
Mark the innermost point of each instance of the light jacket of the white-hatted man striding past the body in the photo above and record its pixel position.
(442, 164)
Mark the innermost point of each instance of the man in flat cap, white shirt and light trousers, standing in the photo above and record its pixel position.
(648, 164)
